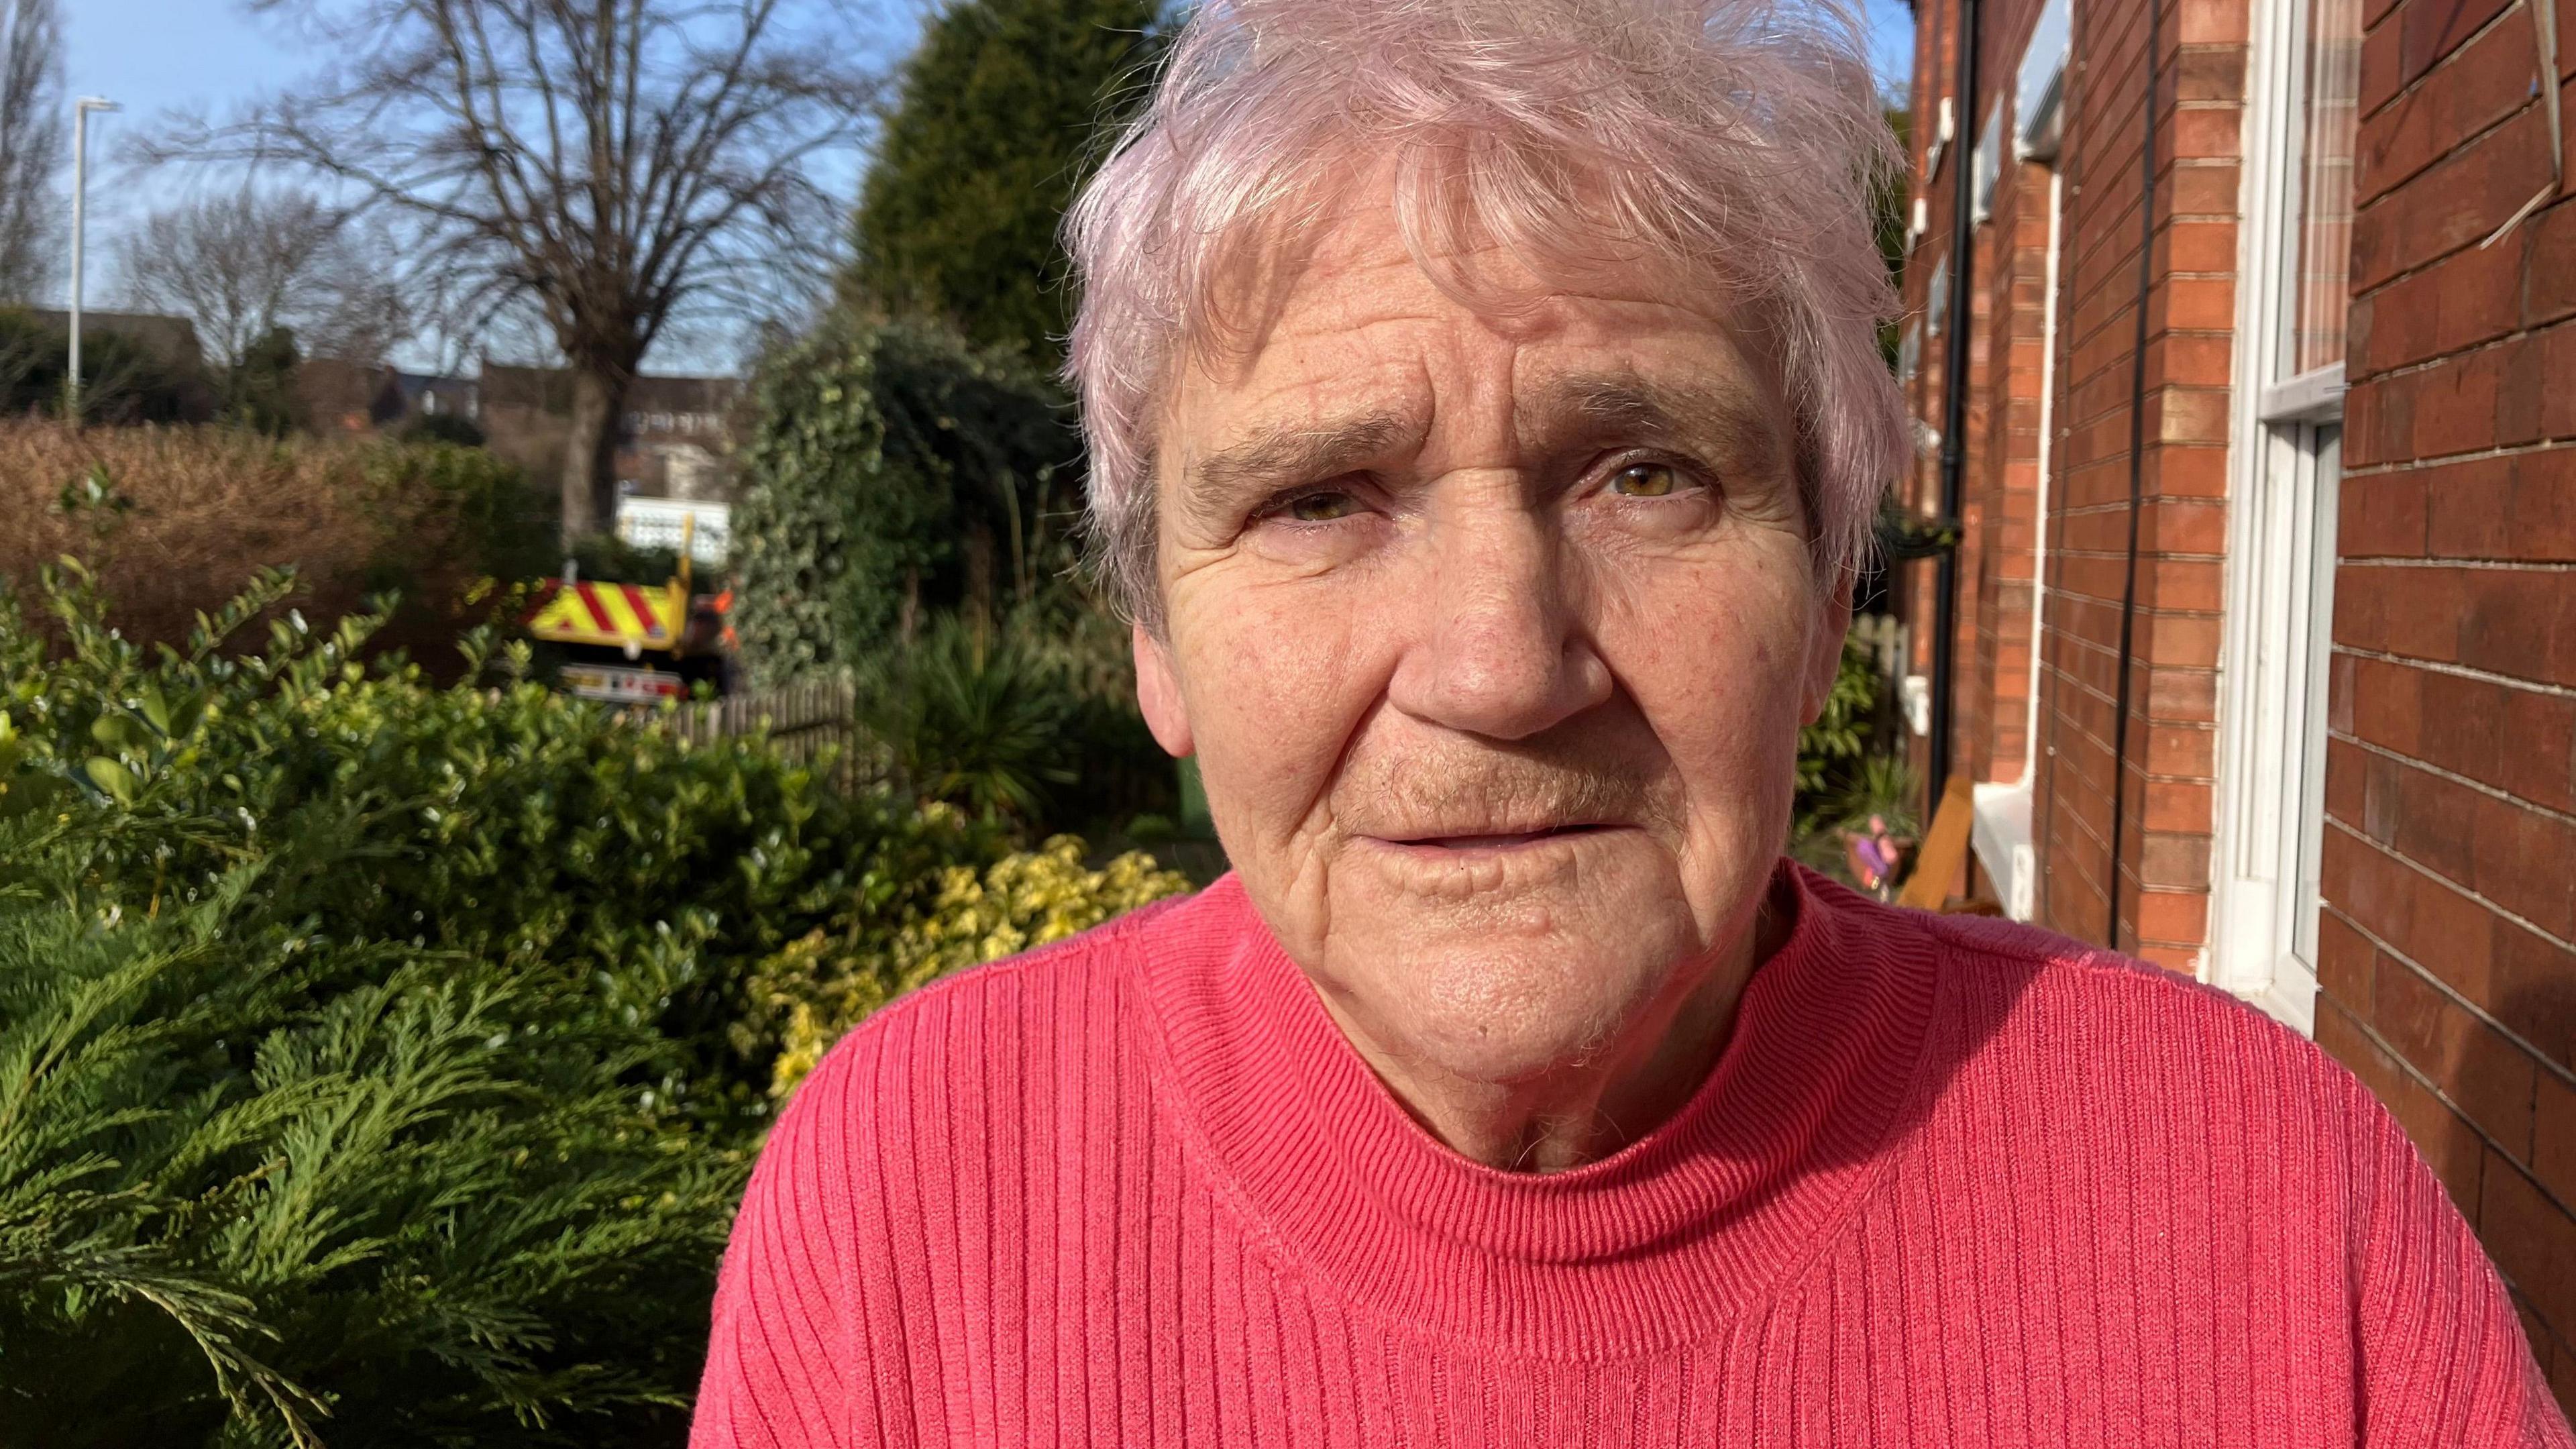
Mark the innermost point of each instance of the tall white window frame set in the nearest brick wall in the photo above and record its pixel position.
(2278, 571)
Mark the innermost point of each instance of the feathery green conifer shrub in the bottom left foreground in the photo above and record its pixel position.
(261, 1185)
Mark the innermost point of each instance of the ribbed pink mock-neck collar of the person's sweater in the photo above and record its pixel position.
(1640, 1252)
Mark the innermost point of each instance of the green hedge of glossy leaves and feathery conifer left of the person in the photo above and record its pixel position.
(380, 1061)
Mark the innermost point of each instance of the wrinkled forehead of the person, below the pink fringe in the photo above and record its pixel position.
(1333, 336)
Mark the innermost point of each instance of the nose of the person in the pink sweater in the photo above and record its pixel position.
(1501, 648)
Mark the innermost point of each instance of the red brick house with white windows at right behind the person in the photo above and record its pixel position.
(2263, 620)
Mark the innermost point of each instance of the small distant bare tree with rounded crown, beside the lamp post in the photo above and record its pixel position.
(249, 264)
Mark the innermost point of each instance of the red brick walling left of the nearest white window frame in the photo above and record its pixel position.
(2165, 839)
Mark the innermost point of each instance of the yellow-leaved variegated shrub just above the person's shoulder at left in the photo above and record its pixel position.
(1014, 906)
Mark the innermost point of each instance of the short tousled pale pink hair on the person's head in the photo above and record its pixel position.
(1719, 146)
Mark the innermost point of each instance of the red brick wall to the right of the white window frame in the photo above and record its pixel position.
(2448, 945)
